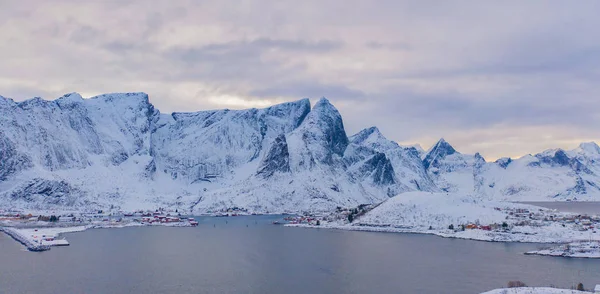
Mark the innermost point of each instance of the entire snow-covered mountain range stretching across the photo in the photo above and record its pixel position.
(117, 150)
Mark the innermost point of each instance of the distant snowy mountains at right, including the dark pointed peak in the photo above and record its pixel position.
(551, 175)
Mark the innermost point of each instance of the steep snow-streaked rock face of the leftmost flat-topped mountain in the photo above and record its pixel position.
(68, 132)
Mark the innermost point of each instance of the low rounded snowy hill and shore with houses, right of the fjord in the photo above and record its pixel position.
(466, 217)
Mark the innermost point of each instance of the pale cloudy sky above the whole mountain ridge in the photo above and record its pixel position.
(504, 78)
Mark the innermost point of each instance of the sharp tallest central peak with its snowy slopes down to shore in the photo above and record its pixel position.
(302, 170)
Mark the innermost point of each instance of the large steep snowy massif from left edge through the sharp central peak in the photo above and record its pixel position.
(116, 150)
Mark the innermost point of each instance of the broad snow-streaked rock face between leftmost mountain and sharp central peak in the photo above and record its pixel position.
(209, 145)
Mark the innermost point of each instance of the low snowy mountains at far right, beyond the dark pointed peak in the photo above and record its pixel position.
(551, 175)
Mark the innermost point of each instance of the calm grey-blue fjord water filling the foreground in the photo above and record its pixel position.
(247, 255)
